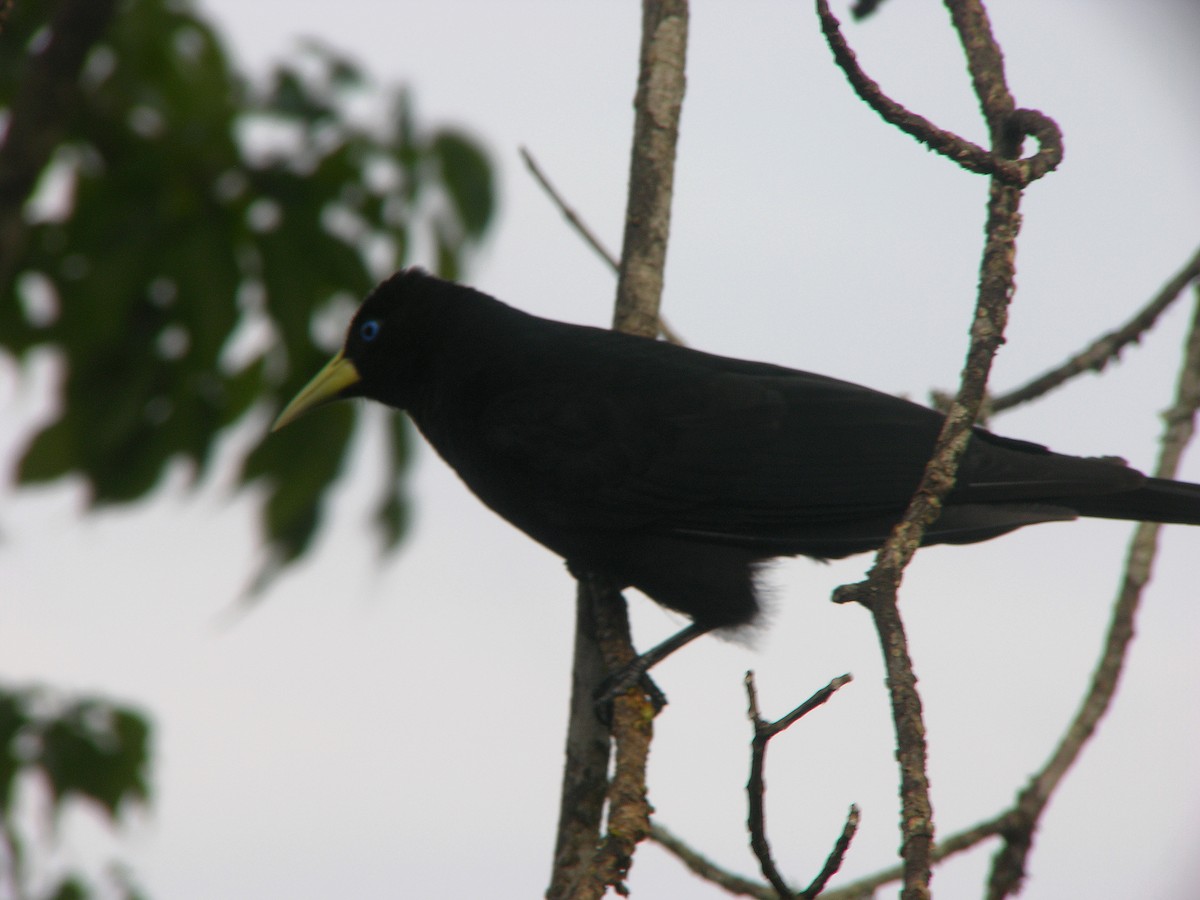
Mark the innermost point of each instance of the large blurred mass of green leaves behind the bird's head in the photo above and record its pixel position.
(193, 242)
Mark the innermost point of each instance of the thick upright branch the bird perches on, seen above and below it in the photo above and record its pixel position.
(585, 865)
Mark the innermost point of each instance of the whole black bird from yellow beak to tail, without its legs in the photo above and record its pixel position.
(677, 472)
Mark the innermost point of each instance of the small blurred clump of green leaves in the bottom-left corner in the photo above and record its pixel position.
(68, 752)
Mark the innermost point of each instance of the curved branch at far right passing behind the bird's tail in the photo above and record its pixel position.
(1009, 867)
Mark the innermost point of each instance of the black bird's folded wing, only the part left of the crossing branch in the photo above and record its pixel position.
(747, 447)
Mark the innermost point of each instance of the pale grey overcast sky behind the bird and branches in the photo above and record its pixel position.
(393, 731)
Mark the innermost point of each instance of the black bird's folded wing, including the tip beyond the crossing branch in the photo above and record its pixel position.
(752, 453)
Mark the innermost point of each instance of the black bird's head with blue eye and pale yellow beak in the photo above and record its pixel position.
(376, 358)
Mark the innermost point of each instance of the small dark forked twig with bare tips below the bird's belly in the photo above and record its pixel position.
(757, 789)
